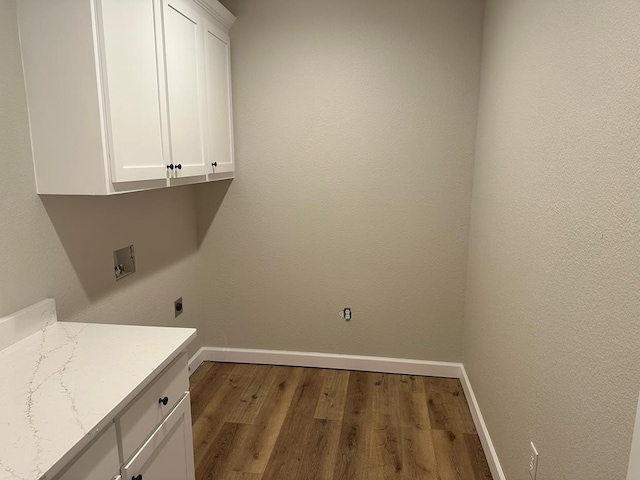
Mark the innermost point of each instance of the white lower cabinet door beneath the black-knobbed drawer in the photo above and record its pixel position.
(168, 453)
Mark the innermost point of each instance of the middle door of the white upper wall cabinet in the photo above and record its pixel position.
(184, 31)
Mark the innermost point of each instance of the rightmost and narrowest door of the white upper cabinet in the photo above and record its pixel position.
(219, 112)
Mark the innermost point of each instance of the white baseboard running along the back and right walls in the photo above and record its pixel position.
(365, 363)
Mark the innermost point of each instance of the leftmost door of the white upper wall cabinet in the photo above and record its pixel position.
(133, 89)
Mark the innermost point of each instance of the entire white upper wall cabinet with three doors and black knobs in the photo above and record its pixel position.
(122, 95)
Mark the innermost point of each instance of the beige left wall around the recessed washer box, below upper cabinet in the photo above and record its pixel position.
(62, 247)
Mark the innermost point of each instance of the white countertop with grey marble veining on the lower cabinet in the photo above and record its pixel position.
(63, 384)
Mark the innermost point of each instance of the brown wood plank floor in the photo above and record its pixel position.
(282, 423)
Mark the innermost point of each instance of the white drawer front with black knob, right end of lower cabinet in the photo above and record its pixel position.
(146, 412)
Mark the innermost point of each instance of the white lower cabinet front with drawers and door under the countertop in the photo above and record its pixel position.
(150, 439)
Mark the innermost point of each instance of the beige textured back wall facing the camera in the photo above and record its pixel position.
(355, 124)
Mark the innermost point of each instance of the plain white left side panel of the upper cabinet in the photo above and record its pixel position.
(59, 64)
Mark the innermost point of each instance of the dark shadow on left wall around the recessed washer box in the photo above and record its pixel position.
(159, 223)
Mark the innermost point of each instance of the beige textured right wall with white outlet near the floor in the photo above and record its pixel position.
(552, 325)
